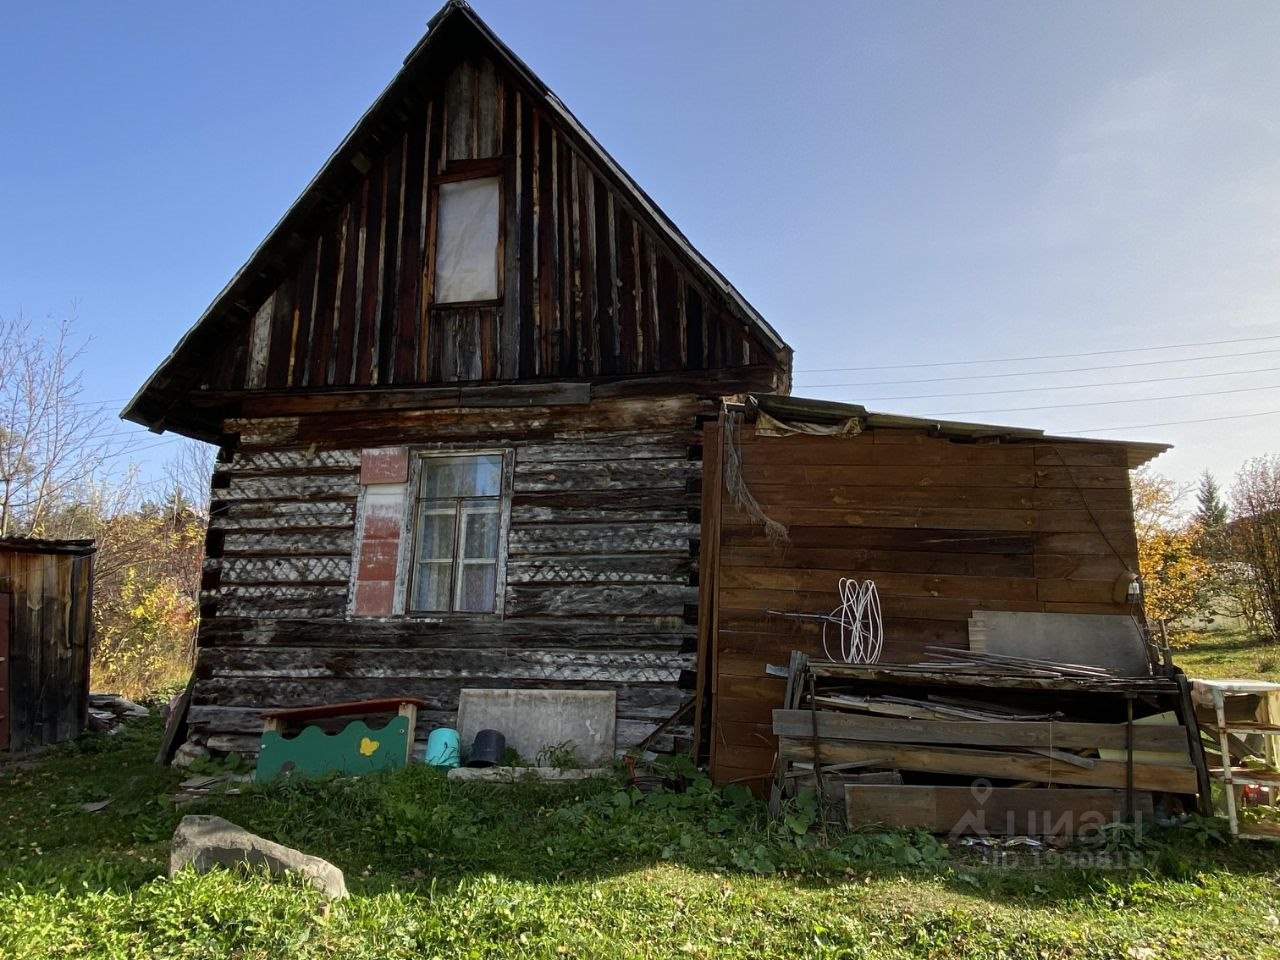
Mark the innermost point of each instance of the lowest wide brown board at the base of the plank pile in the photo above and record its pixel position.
(986, 811)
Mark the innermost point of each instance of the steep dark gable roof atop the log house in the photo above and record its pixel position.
(234, 308)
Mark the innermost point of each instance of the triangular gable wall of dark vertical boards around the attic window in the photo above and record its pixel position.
(588, 286)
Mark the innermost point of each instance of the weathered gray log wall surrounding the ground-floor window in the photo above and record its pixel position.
(601, 566)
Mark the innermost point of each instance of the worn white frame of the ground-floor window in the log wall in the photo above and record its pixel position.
(408, 565)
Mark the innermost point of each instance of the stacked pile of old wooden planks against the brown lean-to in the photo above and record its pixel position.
(976, 746)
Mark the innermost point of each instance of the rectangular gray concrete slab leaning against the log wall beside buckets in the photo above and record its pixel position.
(534, 721)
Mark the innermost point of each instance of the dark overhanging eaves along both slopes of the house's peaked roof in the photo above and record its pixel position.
(159, 396)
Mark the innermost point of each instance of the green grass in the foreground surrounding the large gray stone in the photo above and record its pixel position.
(463, 871)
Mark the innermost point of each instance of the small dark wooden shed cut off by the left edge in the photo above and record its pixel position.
(45, 634)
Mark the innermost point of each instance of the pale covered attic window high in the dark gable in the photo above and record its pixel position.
(467, 241)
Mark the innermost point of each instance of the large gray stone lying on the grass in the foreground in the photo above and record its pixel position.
(204, 843)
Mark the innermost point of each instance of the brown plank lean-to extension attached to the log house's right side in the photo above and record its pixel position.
(947, 518)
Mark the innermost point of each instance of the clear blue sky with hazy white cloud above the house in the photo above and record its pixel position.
(913, 184)
